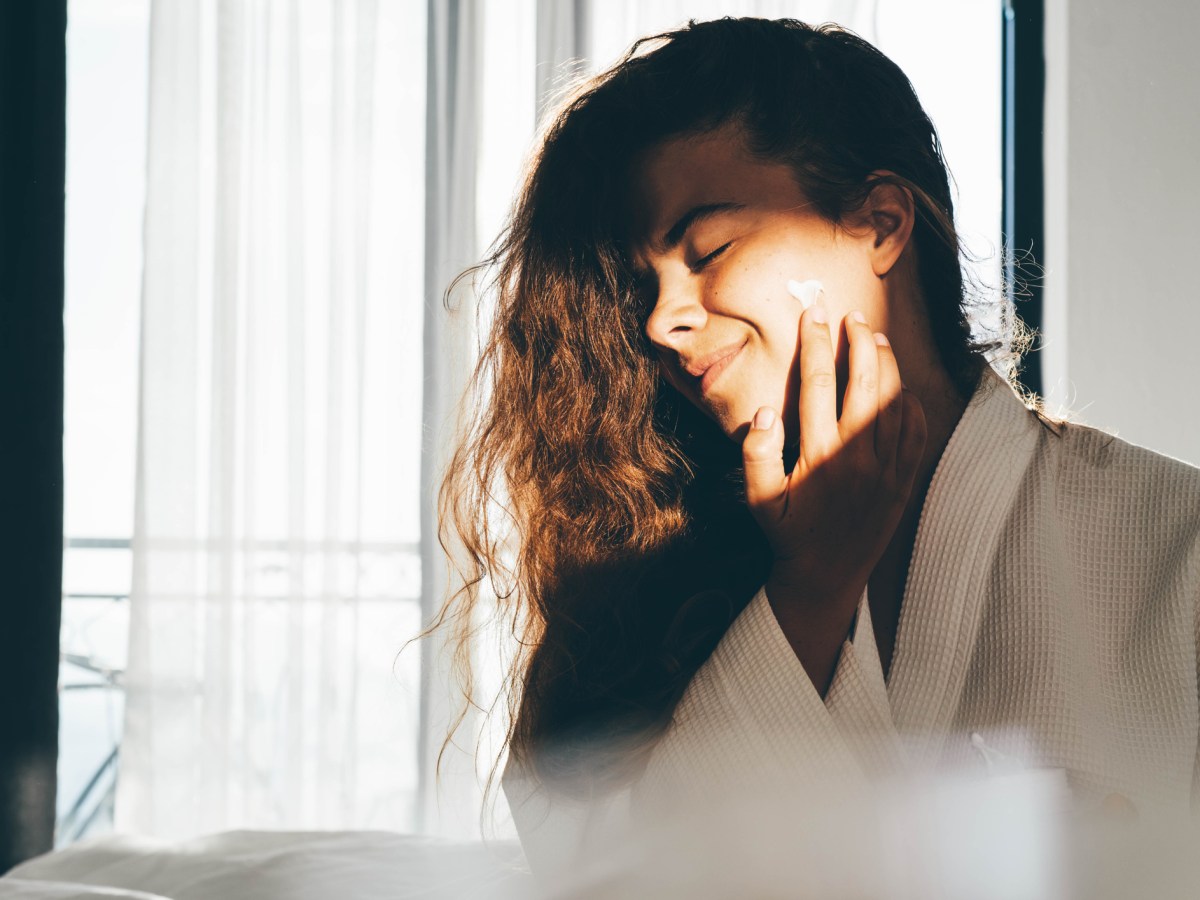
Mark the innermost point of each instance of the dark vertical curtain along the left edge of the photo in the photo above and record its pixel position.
(33, 157)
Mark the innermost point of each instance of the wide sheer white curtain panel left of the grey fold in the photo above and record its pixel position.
(278, 566)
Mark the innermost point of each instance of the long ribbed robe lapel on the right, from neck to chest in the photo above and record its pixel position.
(969, 501)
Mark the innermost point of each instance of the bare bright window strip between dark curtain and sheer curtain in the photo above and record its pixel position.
(107, 58)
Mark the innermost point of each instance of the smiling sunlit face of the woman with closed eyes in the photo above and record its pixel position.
(717, 237)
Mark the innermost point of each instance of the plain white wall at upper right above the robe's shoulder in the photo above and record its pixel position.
(1123, 145)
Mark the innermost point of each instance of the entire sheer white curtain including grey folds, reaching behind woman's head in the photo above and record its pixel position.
(319, 172)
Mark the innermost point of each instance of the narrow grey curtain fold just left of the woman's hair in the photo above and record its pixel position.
(451, 803)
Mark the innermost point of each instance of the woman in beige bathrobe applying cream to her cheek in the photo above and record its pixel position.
(755, 538)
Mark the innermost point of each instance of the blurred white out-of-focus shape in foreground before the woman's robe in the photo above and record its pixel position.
(1011, 836)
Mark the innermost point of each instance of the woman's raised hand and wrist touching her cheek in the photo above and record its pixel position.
(831, 519)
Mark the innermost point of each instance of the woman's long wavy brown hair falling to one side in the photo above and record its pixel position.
(598, 509)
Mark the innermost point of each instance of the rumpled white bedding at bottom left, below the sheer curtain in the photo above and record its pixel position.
(274, 866)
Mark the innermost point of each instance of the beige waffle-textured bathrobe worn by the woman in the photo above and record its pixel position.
(1049, 611)
